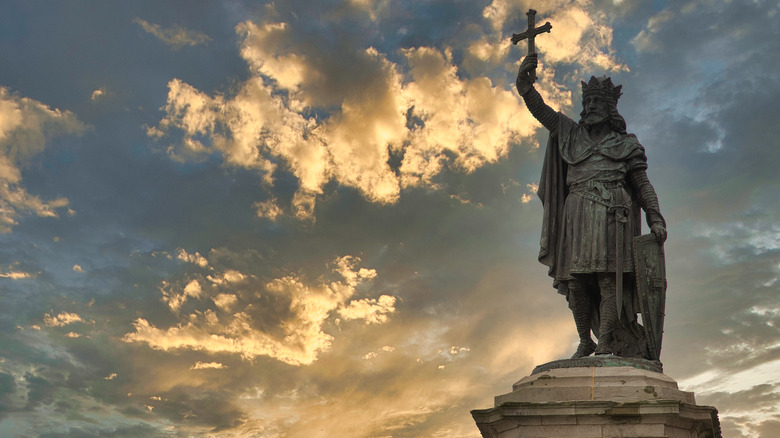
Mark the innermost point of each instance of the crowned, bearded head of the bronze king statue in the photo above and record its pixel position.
(599, 103)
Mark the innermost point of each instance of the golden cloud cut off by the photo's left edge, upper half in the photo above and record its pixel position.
(25, 127)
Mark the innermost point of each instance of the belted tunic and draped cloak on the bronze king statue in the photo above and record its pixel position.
(594, 175)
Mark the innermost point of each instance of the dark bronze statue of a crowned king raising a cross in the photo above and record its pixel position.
(592, 187)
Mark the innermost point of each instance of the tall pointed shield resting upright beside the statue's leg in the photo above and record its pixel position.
(650, 268)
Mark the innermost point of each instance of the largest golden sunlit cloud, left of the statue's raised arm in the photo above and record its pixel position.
(366, 117)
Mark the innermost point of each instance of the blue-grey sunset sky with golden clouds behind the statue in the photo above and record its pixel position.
(294, 218)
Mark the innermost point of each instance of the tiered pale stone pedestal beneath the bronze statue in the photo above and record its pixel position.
(600, 397)
